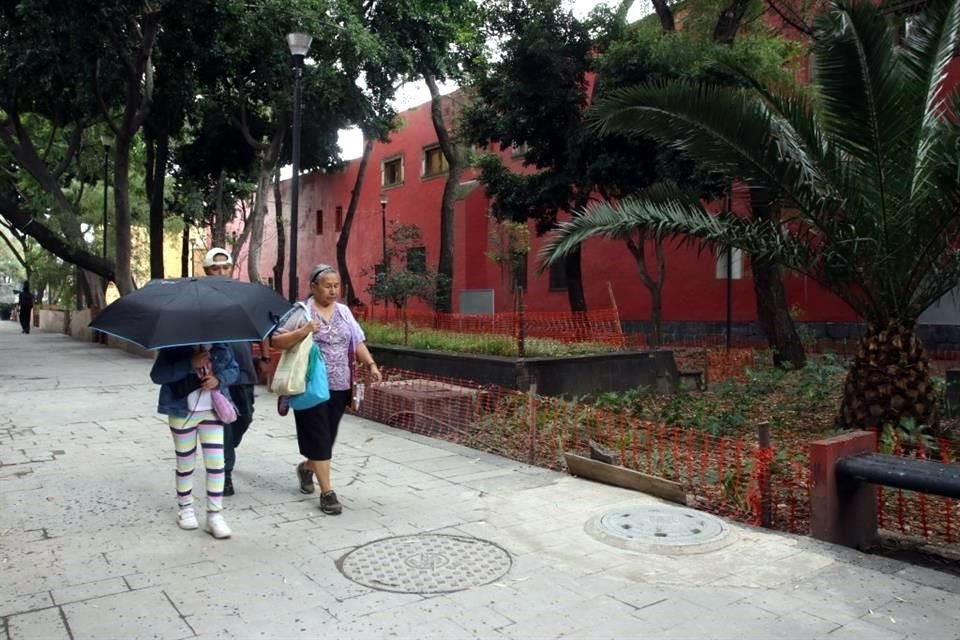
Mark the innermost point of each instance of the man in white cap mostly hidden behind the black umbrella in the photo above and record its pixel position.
(219, 262)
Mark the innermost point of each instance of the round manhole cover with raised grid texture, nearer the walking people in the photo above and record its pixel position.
(425, 564)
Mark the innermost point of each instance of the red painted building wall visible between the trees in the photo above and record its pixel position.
(693, 292)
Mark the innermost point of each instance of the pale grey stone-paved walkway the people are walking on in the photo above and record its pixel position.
(89, 548)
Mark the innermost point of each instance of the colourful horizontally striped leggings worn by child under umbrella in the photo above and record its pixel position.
(202, 426)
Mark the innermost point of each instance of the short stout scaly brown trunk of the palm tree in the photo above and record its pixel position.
(888, 380)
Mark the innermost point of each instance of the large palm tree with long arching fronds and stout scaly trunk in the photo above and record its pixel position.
(867, 159)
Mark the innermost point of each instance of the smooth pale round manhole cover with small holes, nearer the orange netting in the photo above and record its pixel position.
(661, 528)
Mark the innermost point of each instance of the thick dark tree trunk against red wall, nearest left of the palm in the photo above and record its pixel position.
(774, 315)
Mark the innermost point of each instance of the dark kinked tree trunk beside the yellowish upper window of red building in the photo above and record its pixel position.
(444, 296)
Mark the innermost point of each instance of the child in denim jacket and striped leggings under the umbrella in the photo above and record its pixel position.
(186, 376)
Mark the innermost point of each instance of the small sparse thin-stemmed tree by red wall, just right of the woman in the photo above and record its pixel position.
(405, 274)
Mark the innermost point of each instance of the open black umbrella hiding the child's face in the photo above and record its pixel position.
(185, 311)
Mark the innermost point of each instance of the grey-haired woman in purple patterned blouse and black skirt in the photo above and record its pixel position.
(341, 341)
